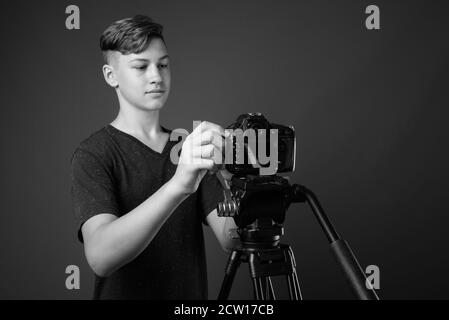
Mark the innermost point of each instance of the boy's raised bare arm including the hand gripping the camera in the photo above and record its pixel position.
(111, 242)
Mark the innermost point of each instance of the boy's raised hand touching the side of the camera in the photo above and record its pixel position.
(201, 151)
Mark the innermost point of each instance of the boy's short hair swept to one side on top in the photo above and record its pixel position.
(130, 35)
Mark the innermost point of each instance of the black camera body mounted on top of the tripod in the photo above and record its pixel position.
(259, 136)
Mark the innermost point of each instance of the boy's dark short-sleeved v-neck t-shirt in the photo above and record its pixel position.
(113, 172)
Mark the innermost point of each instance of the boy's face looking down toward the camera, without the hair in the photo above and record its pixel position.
(143, 79)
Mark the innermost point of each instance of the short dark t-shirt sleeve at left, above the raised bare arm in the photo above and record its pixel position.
(92, 189)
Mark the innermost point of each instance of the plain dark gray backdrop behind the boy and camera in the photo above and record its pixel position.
(370, 110)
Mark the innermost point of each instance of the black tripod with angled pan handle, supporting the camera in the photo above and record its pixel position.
(258, 205)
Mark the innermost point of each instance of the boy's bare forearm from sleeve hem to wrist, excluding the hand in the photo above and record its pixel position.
(111, 242)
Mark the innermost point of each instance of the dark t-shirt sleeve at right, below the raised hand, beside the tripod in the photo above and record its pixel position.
(210, 194)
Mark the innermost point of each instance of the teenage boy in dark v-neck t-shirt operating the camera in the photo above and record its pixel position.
(141, 214)
